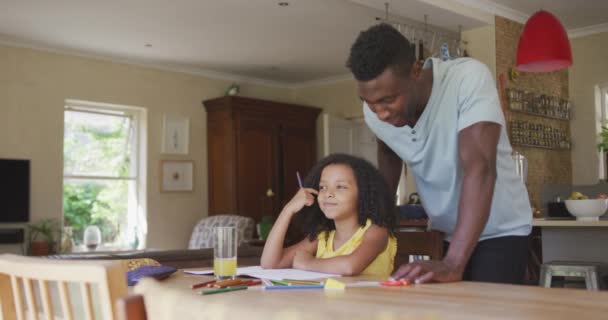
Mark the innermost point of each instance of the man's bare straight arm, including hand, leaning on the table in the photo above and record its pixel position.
(477, 146)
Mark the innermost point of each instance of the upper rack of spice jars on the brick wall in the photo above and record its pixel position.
(537, 104)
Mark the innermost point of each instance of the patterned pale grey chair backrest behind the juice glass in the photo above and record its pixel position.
(202, 235)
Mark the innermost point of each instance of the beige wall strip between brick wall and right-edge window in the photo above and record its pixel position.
(590, 68)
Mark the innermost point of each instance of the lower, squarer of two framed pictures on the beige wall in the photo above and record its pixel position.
(176, 175)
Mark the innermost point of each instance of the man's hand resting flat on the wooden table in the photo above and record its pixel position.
(427, 271)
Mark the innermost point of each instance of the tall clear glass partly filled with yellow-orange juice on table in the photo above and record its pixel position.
(224, 253)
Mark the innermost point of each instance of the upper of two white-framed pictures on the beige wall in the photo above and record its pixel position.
(176, 132)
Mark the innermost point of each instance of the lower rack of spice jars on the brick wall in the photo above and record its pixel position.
(538, 135)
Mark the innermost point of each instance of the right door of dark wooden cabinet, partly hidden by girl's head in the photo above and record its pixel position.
(298, 155)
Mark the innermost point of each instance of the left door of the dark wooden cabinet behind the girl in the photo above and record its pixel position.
(257, 166)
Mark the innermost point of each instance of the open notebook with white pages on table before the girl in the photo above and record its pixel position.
(272, 274)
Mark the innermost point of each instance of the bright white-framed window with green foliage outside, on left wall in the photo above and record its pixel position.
(104, 172)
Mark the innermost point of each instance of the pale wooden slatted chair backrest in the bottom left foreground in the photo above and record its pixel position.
(29, 286)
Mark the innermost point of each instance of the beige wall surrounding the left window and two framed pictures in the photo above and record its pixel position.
(33, 87)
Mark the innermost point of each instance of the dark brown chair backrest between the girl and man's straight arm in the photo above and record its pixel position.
(418, 242)
